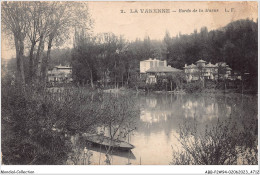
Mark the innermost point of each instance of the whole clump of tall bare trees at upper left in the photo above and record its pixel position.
(36, 23)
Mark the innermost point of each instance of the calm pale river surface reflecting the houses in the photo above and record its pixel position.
(160, 118)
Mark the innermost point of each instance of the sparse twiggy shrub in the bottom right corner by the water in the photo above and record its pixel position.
(221, 144)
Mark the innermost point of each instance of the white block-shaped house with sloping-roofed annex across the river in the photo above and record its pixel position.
(153, 68)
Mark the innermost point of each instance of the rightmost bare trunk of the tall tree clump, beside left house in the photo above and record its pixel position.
(46, 60)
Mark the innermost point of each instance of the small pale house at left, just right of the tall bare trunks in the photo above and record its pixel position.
(60, 74)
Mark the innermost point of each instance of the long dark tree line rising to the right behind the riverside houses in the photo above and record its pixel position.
(94, 58)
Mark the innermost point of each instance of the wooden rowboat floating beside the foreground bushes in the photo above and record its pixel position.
(106, 141)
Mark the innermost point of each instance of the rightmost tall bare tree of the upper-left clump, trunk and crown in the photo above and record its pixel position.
(67, 16)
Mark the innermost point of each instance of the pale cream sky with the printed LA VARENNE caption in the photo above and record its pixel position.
(183, 18)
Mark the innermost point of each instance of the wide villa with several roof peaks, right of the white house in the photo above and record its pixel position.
(207, 71)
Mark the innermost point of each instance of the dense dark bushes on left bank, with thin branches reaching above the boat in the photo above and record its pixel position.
(35, 124)
